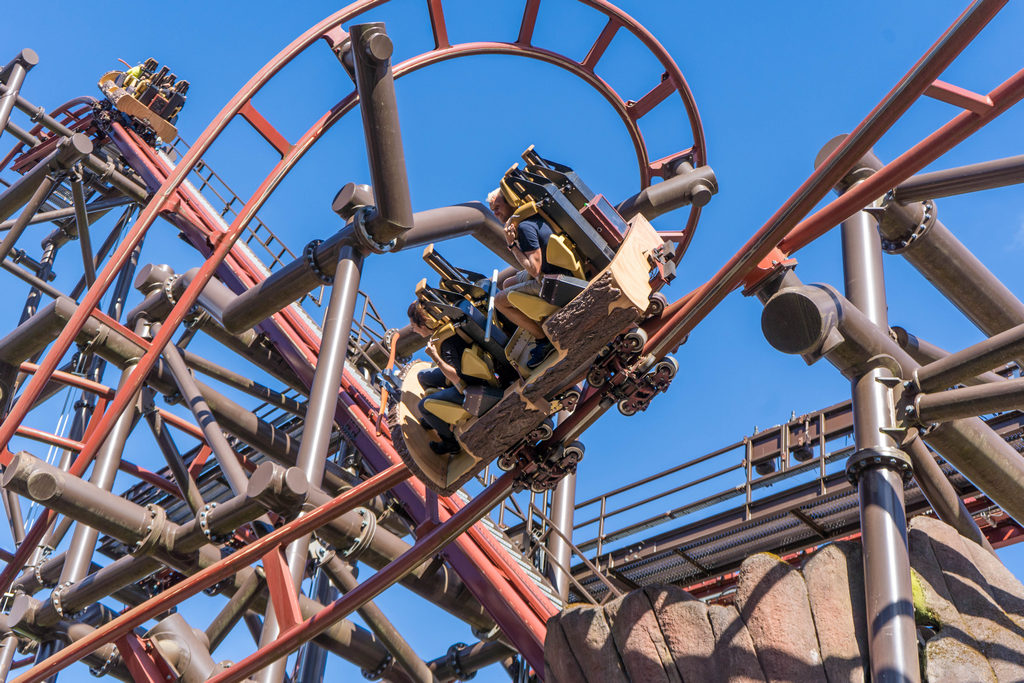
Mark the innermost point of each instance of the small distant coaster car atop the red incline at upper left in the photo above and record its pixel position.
(152, 99)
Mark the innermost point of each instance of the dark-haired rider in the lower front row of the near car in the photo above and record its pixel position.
(446, 381)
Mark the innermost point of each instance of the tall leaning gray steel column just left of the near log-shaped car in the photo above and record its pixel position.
(320, 418)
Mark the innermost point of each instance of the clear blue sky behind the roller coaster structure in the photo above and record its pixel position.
(774, 82)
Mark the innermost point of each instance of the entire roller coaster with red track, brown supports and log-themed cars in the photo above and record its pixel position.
(323, 469)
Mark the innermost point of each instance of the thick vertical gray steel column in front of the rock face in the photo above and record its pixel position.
(892, 633)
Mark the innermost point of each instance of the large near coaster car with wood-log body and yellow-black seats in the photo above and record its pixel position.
(581, 317)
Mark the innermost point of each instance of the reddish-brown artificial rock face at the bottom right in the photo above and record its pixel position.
(802, 625)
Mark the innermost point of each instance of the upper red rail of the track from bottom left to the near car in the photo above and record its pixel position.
(189, 587)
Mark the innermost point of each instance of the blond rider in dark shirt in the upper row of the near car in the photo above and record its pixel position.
(528, 239)
